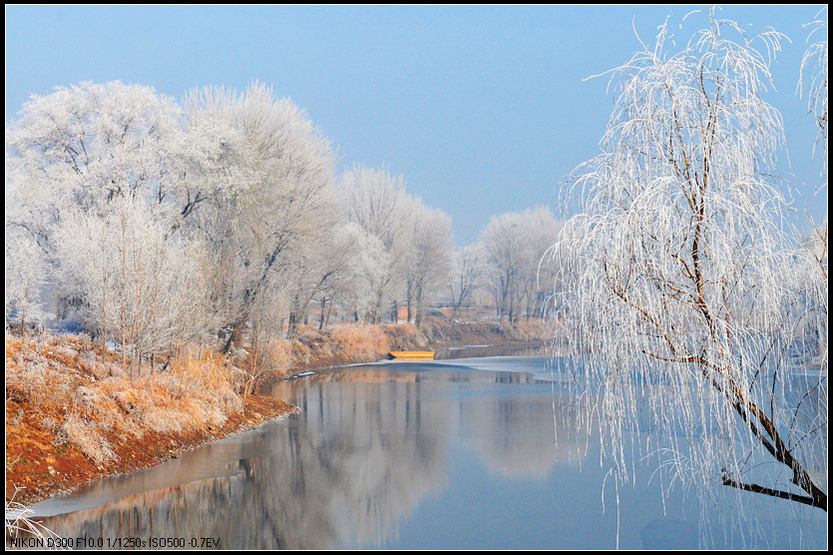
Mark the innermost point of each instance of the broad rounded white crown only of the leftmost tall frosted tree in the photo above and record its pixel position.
(87, 144)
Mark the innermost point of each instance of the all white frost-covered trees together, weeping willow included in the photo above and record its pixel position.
(152, 225)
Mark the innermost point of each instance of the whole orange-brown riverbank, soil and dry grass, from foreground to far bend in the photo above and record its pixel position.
(75, 414)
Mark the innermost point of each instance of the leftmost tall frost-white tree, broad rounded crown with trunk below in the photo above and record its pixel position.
(79, 150)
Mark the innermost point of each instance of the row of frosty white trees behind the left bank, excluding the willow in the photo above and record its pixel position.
(154, 224)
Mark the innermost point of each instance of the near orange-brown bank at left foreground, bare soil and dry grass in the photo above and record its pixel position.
(74, 415)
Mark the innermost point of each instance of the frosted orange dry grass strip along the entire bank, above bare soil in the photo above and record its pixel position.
(75, 394)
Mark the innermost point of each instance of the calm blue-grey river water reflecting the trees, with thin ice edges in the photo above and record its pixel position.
(479, 453)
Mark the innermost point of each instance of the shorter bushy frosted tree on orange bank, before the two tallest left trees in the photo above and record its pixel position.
(141, 288)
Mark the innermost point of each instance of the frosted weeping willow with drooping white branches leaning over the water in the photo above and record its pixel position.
(683, 287)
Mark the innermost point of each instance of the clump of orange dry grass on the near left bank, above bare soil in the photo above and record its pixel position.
(80, 395)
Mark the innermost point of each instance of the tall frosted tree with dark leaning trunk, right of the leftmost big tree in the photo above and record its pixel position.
(257, 184)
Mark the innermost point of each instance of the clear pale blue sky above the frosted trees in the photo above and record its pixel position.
(483, 109)
